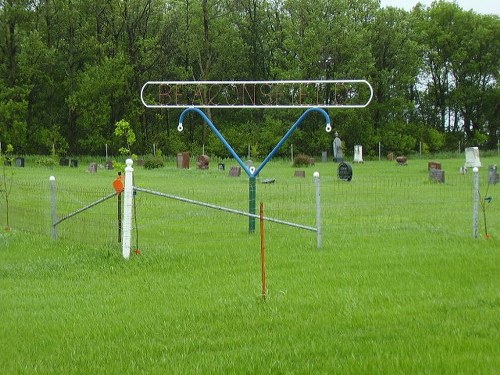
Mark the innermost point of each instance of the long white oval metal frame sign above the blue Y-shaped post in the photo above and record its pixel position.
(257, 94)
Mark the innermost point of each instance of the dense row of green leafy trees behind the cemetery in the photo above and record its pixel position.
(70, 70)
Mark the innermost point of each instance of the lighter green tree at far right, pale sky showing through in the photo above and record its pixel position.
(461, 54)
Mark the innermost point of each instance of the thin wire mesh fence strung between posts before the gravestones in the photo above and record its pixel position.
(374, 203)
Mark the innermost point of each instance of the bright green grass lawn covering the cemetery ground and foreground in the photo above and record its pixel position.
(399, 286)
